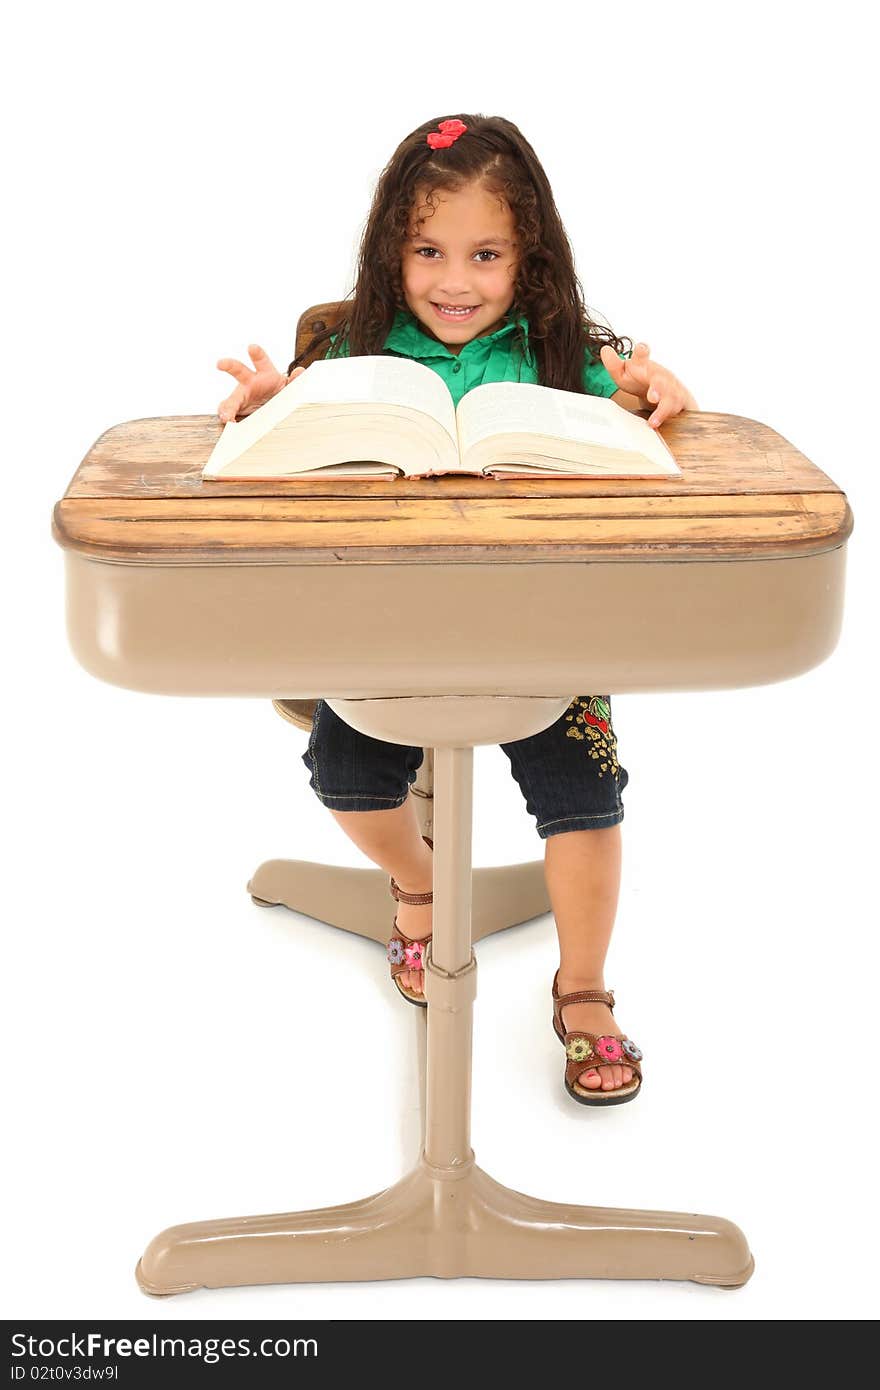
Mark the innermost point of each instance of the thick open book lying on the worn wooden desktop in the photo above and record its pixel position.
(379, 418)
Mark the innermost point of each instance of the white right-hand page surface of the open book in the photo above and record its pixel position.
(523, 409)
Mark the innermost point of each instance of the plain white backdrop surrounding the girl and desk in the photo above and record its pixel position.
(187, 180)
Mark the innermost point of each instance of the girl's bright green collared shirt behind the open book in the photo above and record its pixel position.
(496, 358)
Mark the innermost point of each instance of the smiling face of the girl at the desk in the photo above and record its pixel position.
(461, 252)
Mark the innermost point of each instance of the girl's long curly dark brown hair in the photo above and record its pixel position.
(548, 294)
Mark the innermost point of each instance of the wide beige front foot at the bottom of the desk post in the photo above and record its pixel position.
(447, 1225)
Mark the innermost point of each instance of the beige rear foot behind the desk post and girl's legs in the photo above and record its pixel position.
(359, 901)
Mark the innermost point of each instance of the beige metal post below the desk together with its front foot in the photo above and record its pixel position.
(447, 1218)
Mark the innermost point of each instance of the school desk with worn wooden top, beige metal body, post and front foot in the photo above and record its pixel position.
(451, 612)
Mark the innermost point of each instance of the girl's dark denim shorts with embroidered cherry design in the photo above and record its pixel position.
(569, 774)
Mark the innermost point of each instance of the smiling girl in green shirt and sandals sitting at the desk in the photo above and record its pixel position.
(465, 266)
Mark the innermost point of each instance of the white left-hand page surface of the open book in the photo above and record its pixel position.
(370, 382)
